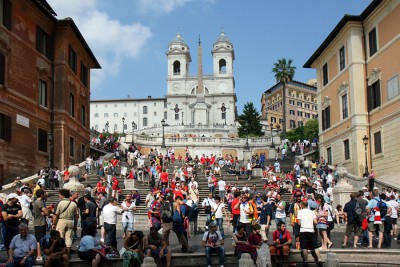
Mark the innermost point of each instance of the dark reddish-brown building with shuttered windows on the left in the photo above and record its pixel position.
(44, 89)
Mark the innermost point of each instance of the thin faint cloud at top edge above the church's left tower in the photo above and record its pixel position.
(160, 6)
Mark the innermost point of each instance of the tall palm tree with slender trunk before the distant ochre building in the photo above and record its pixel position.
(284, 73)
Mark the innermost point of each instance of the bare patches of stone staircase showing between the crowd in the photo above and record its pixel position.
(141, 221)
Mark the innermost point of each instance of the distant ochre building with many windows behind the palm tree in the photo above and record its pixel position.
(301, 105)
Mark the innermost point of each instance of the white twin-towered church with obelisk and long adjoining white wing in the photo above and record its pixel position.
(194, 101)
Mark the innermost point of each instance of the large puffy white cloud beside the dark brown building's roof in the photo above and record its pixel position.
(110, 40)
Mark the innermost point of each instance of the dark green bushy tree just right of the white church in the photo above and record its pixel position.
(250, 121)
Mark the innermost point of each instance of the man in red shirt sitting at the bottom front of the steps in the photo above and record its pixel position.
(280, 247)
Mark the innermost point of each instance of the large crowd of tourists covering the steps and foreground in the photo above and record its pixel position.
(173, 203)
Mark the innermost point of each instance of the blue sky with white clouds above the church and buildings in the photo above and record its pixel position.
(129, 38)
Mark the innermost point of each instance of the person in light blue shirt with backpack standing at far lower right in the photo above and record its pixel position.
(375, 210)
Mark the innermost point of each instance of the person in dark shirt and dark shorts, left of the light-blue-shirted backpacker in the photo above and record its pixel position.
(354, 220)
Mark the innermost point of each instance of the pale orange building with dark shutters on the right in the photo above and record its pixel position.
(358, 68)
